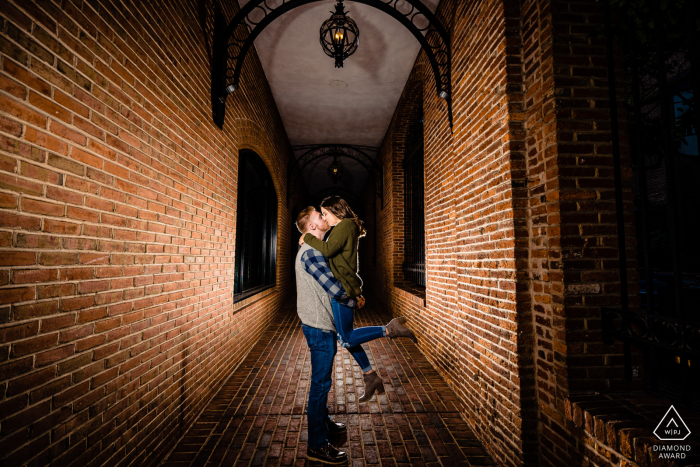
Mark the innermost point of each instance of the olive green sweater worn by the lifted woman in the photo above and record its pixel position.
(341, 251)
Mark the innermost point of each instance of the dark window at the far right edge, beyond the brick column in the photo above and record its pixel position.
(666, 211)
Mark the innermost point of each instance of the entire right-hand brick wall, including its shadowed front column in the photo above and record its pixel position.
(520, 223)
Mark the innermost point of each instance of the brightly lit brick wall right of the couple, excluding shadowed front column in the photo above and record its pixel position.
(469, 321)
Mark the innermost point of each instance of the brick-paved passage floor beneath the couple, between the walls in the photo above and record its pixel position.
(258, 416)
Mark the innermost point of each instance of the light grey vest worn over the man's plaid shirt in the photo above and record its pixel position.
(313, 303)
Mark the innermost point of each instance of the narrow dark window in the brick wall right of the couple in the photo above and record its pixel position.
(414, 202)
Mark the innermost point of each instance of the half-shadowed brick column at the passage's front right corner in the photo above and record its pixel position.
(572, 234)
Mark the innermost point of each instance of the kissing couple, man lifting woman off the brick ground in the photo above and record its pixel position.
(329, 289)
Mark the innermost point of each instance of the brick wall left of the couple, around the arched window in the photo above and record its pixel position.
(117, 227)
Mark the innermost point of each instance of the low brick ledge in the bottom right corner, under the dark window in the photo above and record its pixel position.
(620, 427)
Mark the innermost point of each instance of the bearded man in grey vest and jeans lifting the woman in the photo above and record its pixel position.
(315, 286)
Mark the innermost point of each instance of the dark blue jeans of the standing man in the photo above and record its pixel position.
(322, 345)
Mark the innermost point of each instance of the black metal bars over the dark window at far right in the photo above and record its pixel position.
(662, 72)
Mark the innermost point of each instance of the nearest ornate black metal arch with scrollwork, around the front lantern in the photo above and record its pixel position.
(233, 41)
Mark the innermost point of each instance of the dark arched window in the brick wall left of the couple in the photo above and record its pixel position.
(256, 228)
